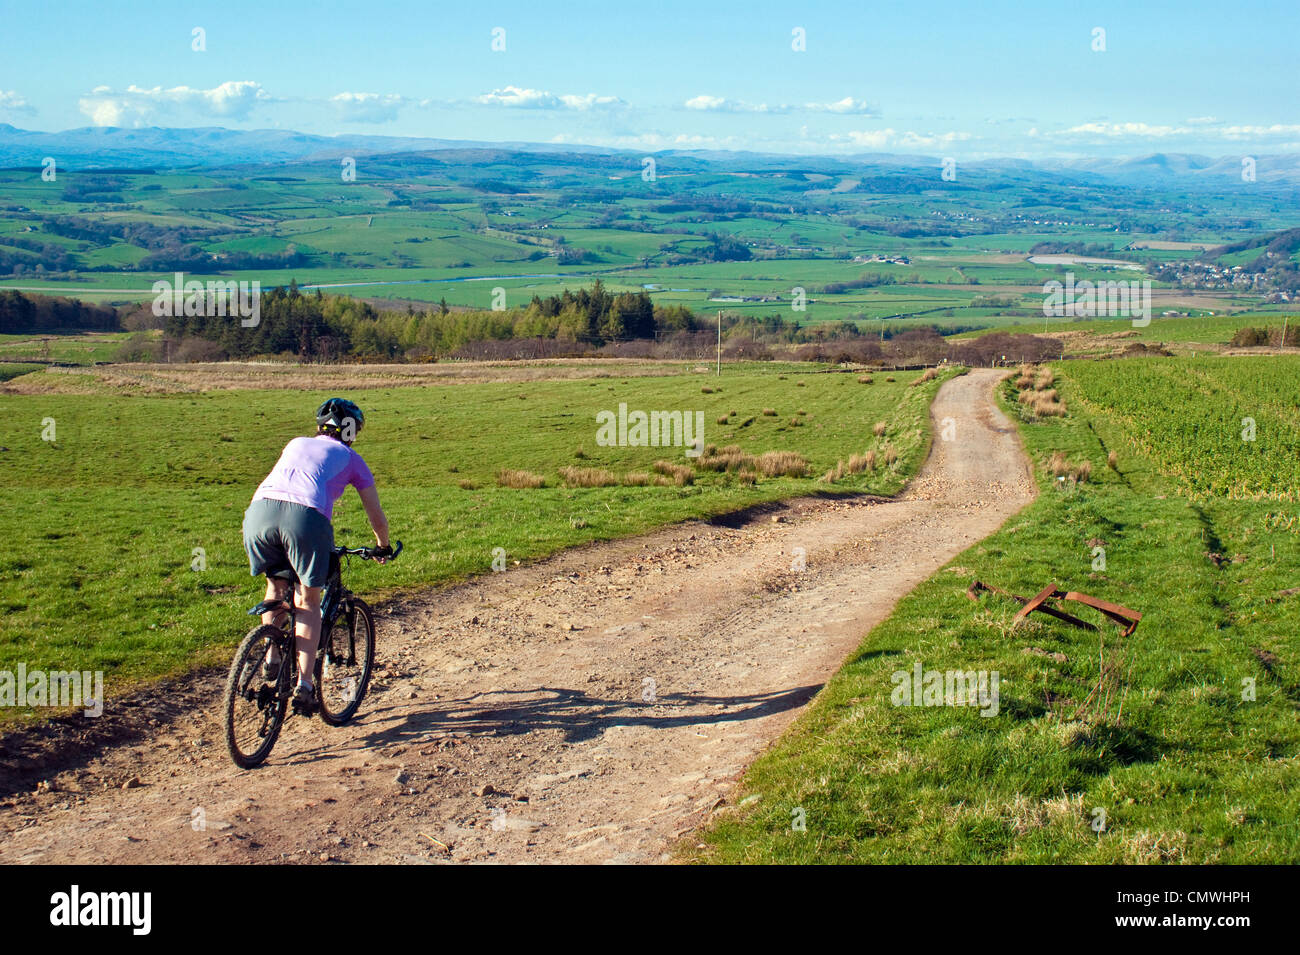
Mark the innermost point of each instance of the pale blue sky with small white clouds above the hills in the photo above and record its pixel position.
(938, 79)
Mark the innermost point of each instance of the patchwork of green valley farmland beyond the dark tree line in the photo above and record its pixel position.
(415, 231)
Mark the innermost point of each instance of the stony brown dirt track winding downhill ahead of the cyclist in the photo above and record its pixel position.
(590, 709)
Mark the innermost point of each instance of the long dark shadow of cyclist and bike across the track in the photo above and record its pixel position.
(579, 715)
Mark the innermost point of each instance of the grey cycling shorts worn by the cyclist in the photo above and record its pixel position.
(289, 540)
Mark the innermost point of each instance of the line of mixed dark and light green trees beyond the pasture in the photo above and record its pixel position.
(575, 323)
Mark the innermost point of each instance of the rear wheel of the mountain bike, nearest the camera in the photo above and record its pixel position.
(254, 709)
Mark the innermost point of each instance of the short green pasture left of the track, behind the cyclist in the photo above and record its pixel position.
(128, 558)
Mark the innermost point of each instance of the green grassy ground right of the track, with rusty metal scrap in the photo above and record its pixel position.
(1193, 754)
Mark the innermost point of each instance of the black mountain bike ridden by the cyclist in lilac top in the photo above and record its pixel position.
(255, 707)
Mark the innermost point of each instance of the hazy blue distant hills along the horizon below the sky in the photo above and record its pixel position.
(155, 147)
